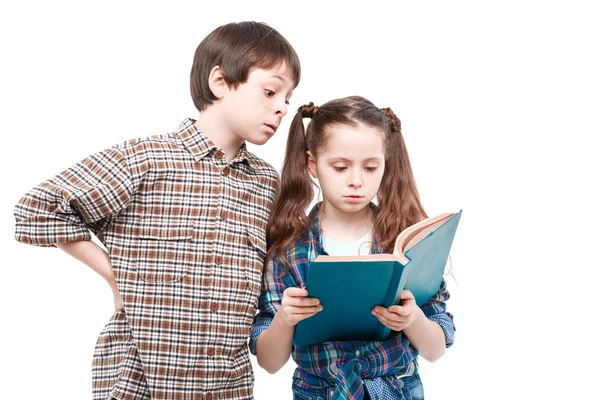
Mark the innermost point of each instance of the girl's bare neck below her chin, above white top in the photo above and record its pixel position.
(342, 226)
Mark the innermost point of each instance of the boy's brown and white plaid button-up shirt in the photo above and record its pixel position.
(185, 231)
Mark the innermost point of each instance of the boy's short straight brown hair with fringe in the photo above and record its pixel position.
(237, 48)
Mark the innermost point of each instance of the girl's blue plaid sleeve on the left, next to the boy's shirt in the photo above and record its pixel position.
(275, 281)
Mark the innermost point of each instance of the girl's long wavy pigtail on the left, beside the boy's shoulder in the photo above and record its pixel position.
(288, 220)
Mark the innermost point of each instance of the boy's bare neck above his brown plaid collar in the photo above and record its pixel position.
(213, 126)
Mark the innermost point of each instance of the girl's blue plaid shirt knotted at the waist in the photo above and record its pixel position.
(343, 367)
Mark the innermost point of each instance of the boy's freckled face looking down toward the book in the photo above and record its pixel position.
(254, 110)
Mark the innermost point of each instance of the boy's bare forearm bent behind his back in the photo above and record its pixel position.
(97, 259)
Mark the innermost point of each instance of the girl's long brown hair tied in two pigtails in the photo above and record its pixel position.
(398, 200)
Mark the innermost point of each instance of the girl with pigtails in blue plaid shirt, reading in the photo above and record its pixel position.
(356, 152)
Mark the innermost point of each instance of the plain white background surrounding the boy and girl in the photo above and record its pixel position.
(499, 103)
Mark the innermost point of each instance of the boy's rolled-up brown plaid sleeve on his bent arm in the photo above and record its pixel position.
(82, 198)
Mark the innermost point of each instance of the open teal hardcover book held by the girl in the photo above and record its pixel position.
(349, 287)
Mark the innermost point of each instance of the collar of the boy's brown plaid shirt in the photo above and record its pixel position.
(200, 146)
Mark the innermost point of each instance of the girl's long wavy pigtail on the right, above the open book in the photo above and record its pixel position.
(399, 204)
